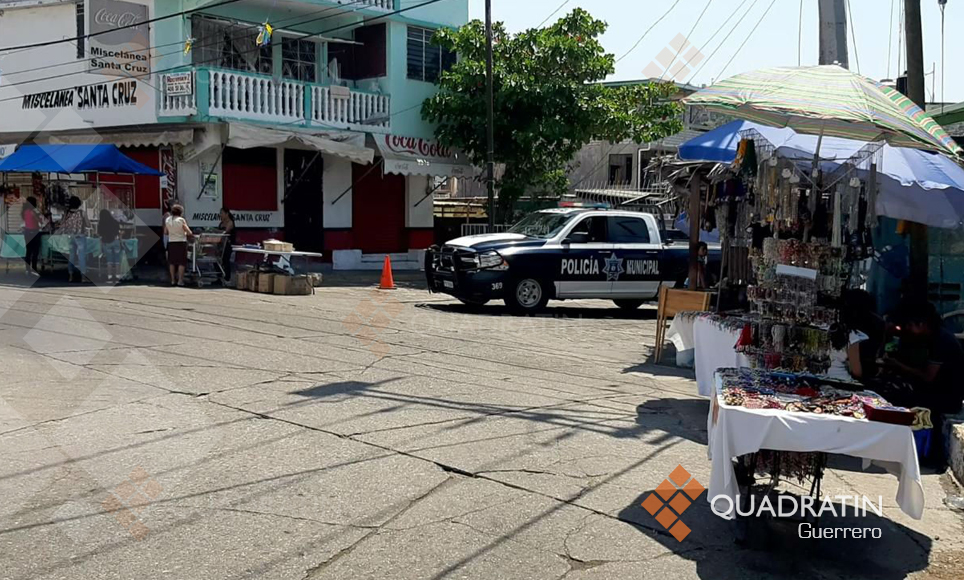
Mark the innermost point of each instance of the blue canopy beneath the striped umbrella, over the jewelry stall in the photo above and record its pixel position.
(914, 185)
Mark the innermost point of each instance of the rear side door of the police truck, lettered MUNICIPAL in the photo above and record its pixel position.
(633, 268)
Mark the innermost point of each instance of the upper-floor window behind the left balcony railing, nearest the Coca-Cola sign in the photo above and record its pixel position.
(231, 45)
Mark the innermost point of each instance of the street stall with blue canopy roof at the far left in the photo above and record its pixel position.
(52, 174)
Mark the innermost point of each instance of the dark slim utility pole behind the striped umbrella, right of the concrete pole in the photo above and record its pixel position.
(919, 255)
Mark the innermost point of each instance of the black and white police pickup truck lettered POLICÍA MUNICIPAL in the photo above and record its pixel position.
(560, 254)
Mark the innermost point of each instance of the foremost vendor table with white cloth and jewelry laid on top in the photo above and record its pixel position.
(753, 411)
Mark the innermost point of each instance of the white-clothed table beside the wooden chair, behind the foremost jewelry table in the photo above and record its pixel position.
(714, 346)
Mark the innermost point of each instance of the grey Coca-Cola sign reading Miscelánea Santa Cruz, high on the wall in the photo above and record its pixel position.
(120, 38)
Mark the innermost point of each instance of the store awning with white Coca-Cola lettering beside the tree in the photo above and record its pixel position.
(416, 156)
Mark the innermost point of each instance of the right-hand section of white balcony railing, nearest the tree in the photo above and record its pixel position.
(342, 107)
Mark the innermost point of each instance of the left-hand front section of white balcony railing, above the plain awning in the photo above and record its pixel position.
(256, 98)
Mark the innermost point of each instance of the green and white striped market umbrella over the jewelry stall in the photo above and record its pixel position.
(826, 100)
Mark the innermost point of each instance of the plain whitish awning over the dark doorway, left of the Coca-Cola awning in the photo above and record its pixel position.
(348, 145)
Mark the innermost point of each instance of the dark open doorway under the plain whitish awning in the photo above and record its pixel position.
(304, 200)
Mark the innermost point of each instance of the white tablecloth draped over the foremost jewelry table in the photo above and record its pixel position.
(735, 431)
